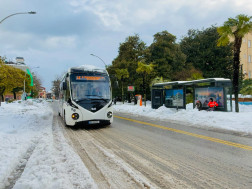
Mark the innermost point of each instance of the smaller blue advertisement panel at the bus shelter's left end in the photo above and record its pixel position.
(174, 98)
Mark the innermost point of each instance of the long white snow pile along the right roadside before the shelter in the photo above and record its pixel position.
(240, 122)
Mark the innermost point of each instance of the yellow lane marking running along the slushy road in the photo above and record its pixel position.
(191, 134)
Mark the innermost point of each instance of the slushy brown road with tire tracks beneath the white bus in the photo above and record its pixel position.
(132, 155)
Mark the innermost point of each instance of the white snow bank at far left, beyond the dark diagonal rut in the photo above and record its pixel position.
(19, 131)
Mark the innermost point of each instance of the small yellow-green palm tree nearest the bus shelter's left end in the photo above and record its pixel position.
(144, 70)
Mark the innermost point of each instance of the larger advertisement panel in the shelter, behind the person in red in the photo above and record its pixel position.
(204, 94)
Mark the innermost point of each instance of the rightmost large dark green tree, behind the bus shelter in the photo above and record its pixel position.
(203, 53)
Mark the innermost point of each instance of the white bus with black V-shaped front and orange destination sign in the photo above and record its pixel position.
(85, 97)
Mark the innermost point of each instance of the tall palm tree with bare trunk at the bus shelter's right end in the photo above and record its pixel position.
(235, 28)
